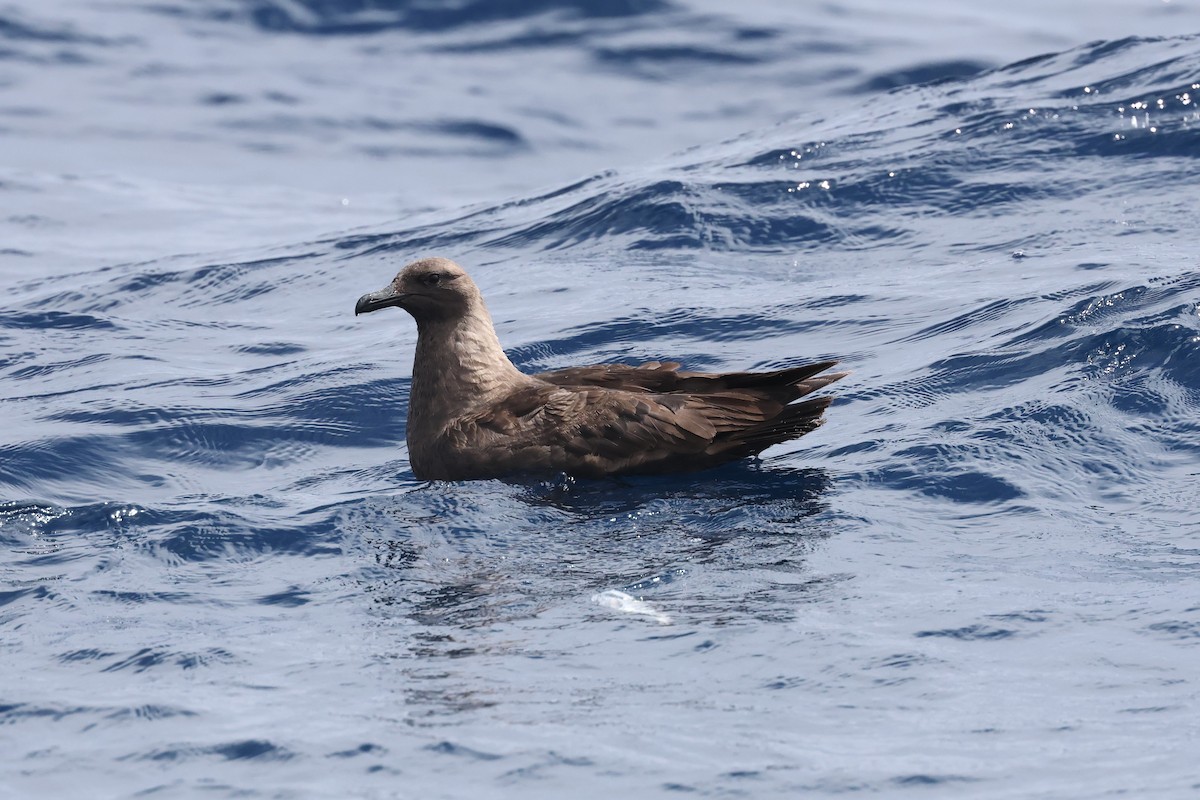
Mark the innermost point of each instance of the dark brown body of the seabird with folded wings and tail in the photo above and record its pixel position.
(616, 419)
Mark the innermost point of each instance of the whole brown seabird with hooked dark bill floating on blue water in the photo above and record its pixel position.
(472, 414)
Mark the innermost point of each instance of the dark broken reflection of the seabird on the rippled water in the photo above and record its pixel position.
(477, 572)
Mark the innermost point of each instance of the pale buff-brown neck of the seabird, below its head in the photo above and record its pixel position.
(459, 365)
